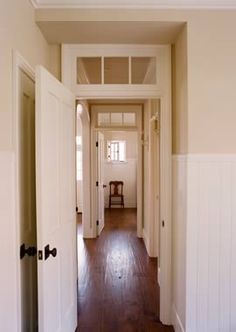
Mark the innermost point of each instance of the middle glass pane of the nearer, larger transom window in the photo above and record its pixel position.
(116, 70)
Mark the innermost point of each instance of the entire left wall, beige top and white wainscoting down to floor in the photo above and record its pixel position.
(19, 32)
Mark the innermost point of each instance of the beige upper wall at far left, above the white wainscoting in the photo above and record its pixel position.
(19, 32)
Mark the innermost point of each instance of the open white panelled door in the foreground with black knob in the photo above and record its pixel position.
(56, 204)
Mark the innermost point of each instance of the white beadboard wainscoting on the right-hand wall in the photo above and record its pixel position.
(211, 243)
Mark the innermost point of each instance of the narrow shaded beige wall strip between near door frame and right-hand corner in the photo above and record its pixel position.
(179, 94)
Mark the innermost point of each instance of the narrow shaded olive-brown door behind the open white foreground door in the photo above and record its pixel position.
(27, 202)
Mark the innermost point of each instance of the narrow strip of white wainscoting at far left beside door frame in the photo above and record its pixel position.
(8, 241)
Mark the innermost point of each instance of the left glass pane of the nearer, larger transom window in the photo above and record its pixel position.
(89, 70)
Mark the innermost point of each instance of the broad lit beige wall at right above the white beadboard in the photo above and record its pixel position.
(211, 82)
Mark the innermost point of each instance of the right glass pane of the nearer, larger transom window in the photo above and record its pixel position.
(143, 70)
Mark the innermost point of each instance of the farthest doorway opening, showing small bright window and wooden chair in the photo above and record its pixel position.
(120, 164)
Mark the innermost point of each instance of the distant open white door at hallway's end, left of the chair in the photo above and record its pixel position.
(100, 181)
